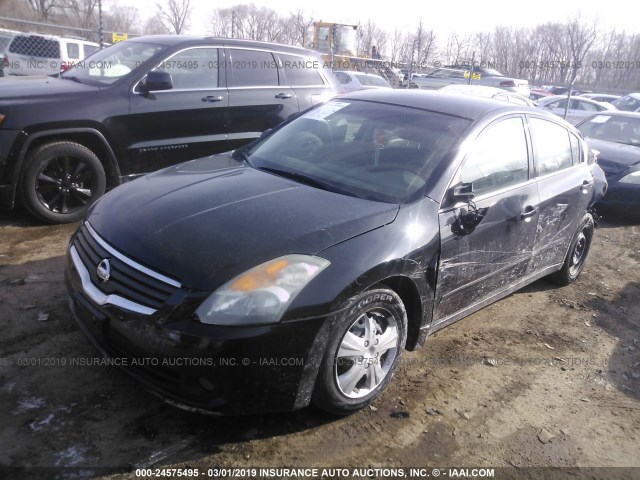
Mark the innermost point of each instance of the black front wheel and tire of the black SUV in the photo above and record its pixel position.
(60, 182)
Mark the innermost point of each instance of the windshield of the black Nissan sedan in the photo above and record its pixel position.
(369, 150)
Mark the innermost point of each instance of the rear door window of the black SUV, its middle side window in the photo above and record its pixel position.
(253, 68)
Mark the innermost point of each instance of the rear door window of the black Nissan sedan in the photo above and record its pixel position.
(552, 147)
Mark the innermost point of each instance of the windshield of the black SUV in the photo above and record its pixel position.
(112, 63)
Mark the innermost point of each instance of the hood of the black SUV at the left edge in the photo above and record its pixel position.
(30, 87)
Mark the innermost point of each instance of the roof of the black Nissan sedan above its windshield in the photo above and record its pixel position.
(465, 106)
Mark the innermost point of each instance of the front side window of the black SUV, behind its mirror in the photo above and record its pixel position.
(192, 69)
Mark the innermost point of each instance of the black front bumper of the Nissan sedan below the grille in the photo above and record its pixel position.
(214, 369)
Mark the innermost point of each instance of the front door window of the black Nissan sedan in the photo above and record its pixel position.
(499, 158)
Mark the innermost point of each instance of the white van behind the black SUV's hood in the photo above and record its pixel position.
(36, 54)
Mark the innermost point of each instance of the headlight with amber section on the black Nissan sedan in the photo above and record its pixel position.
(260, 295)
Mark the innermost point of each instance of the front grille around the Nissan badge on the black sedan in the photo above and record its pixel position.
(128, 279)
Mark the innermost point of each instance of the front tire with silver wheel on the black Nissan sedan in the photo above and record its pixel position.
(369, 337)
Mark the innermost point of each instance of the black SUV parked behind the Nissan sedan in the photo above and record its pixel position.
(141, 105)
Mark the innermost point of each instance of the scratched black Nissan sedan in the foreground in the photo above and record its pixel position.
(299, 268)
